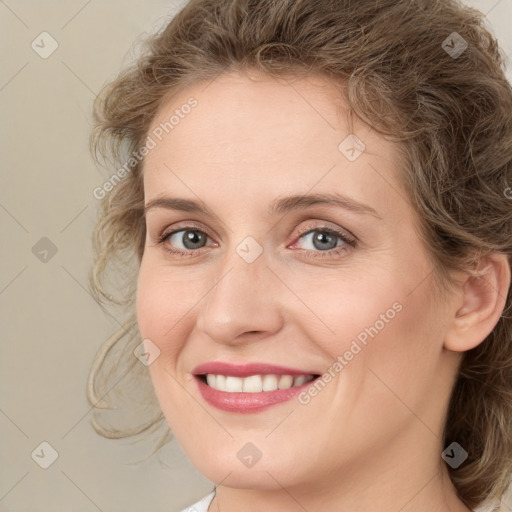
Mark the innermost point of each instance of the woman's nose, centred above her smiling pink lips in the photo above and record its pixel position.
(245, 303)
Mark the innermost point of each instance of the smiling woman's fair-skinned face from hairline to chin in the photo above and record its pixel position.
(292, 248)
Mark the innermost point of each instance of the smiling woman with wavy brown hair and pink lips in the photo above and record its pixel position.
(315, 196)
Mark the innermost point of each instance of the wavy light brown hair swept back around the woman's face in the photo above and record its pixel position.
(450, 116)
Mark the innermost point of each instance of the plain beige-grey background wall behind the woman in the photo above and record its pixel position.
(50, 326)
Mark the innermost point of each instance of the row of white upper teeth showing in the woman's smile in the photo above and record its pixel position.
(255, 383)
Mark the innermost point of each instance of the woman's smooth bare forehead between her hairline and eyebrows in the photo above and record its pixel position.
(265, 136)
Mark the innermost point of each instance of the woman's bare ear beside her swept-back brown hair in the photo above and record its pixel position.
(480, 303)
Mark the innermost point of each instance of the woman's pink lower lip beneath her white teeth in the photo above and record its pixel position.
(246, 403)
